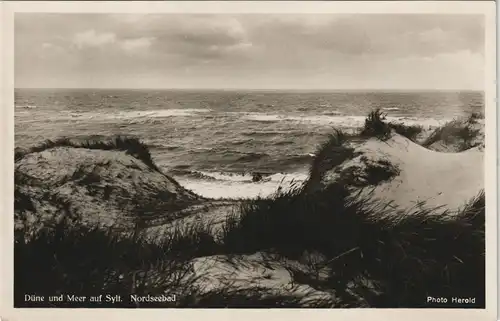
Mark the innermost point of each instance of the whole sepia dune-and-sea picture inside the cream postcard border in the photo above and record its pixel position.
(331, 160)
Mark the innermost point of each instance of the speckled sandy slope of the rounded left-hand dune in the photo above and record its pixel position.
(108, 187)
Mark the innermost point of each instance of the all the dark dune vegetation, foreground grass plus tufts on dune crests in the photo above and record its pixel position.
(374, 255)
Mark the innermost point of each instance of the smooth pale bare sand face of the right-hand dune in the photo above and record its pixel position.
(438, 178)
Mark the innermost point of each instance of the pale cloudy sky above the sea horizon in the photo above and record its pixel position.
(253, 51)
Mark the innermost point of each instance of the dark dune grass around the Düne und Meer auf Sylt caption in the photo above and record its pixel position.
(89, 261)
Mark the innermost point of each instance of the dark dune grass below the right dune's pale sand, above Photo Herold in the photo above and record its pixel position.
(408, 254)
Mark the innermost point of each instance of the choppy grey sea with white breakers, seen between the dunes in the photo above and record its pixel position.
(215, 141)
